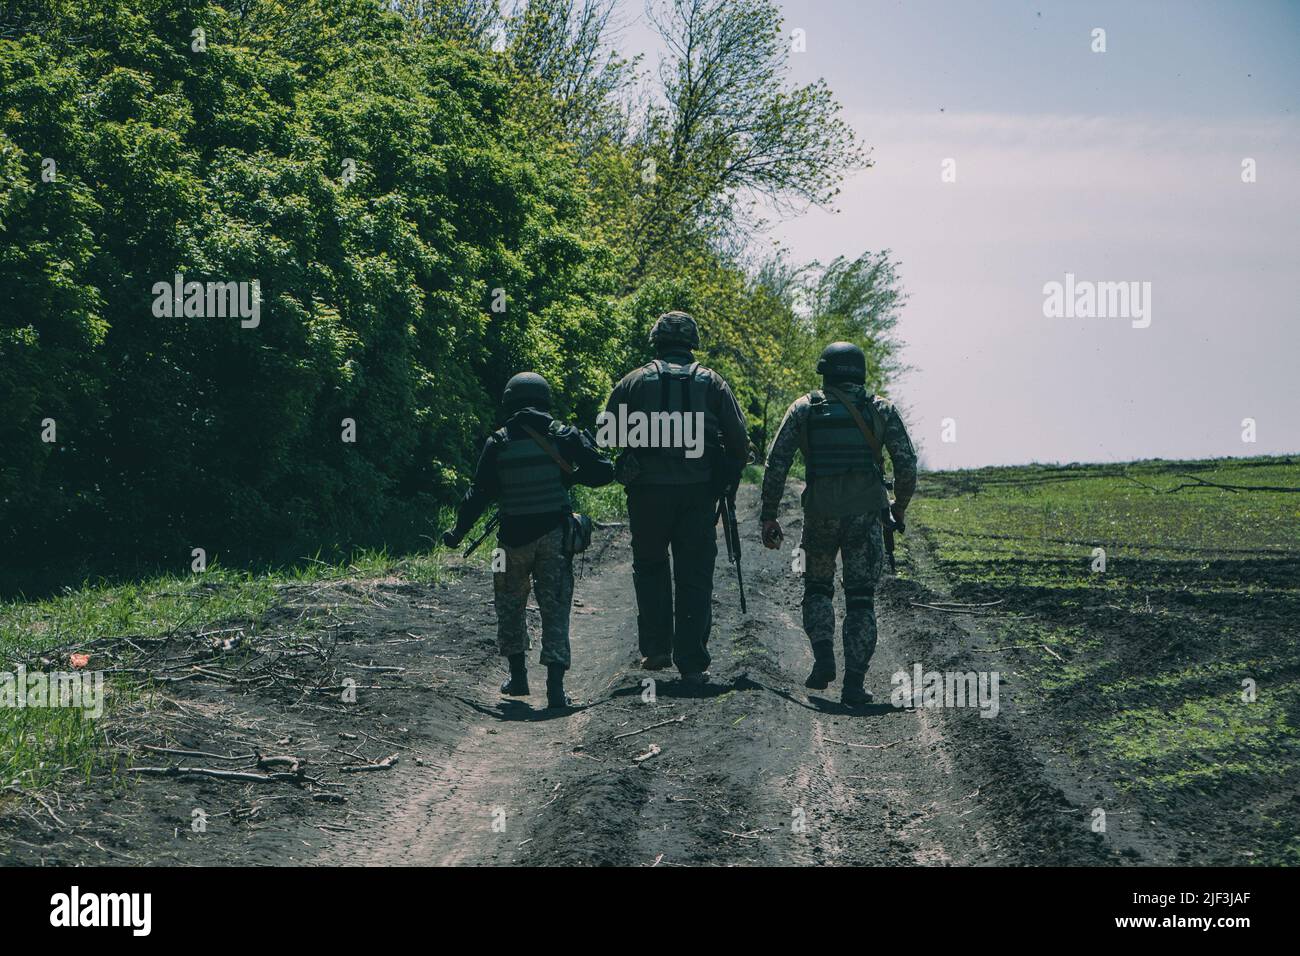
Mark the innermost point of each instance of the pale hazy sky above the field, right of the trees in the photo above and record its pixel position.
(1124, 166)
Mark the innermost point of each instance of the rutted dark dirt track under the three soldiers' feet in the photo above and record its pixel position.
(757, 771)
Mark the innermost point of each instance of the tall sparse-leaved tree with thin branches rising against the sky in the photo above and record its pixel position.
(730, 132)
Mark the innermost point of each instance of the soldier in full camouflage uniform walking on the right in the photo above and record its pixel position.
(842, 431)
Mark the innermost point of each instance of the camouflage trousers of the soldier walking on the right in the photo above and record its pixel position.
(860, 542)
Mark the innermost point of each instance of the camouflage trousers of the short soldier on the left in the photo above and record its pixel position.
(544, 568)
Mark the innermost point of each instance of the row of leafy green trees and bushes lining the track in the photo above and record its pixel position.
(430, 197)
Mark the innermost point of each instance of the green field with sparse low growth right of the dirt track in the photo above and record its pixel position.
(1201, 592)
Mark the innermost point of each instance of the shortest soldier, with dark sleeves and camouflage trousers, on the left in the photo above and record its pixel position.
(528, 468)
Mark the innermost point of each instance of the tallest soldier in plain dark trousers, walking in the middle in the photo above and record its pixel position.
(674, 491)
